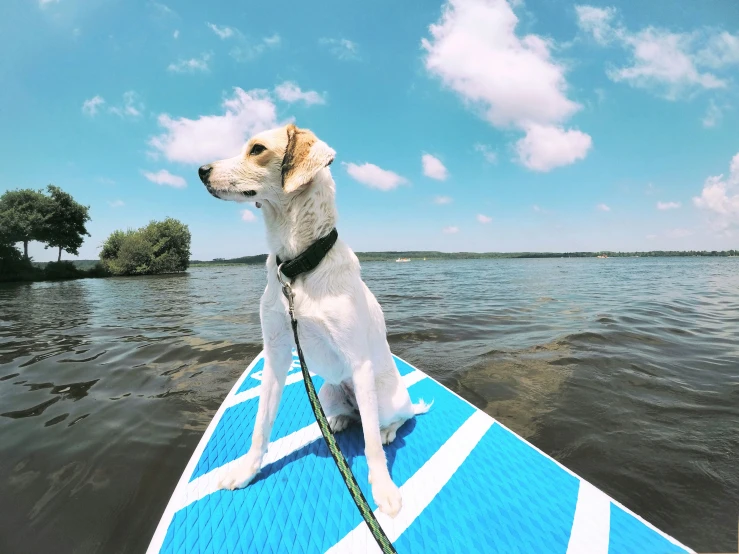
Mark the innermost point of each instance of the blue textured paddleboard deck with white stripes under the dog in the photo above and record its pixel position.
(468, 483)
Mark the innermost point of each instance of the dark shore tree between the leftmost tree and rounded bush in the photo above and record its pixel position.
(65, 223)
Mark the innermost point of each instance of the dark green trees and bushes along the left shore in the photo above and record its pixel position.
(53, 218)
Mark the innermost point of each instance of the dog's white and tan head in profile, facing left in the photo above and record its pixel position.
(273, 165)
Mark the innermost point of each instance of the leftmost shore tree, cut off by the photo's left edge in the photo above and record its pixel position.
(23, 214)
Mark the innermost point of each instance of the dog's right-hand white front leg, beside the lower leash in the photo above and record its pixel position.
(386, 494)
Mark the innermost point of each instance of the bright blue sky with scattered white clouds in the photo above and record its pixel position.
(467, 125)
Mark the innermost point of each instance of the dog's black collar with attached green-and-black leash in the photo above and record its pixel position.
(307, 261)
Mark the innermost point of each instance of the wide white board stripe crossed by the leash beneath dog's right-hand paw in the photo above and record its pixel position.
(421, 488)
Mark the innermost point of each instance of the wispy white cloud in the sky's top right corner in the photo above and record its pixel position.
(671, 65)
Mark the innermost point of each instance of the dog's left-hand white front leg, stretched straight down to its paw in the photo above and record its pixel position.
(277, 361)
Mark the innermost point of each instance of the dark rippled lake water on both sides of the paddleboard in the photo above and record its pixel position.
(626, 370)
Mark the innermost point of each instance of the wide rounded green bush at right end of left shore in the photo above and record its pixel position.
(160, 247)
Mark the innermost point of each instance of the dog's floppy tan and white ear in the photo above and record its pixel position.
(305, 156)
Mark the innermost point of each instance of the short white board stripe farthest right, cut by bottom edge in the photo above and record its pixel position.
(592, 523)
